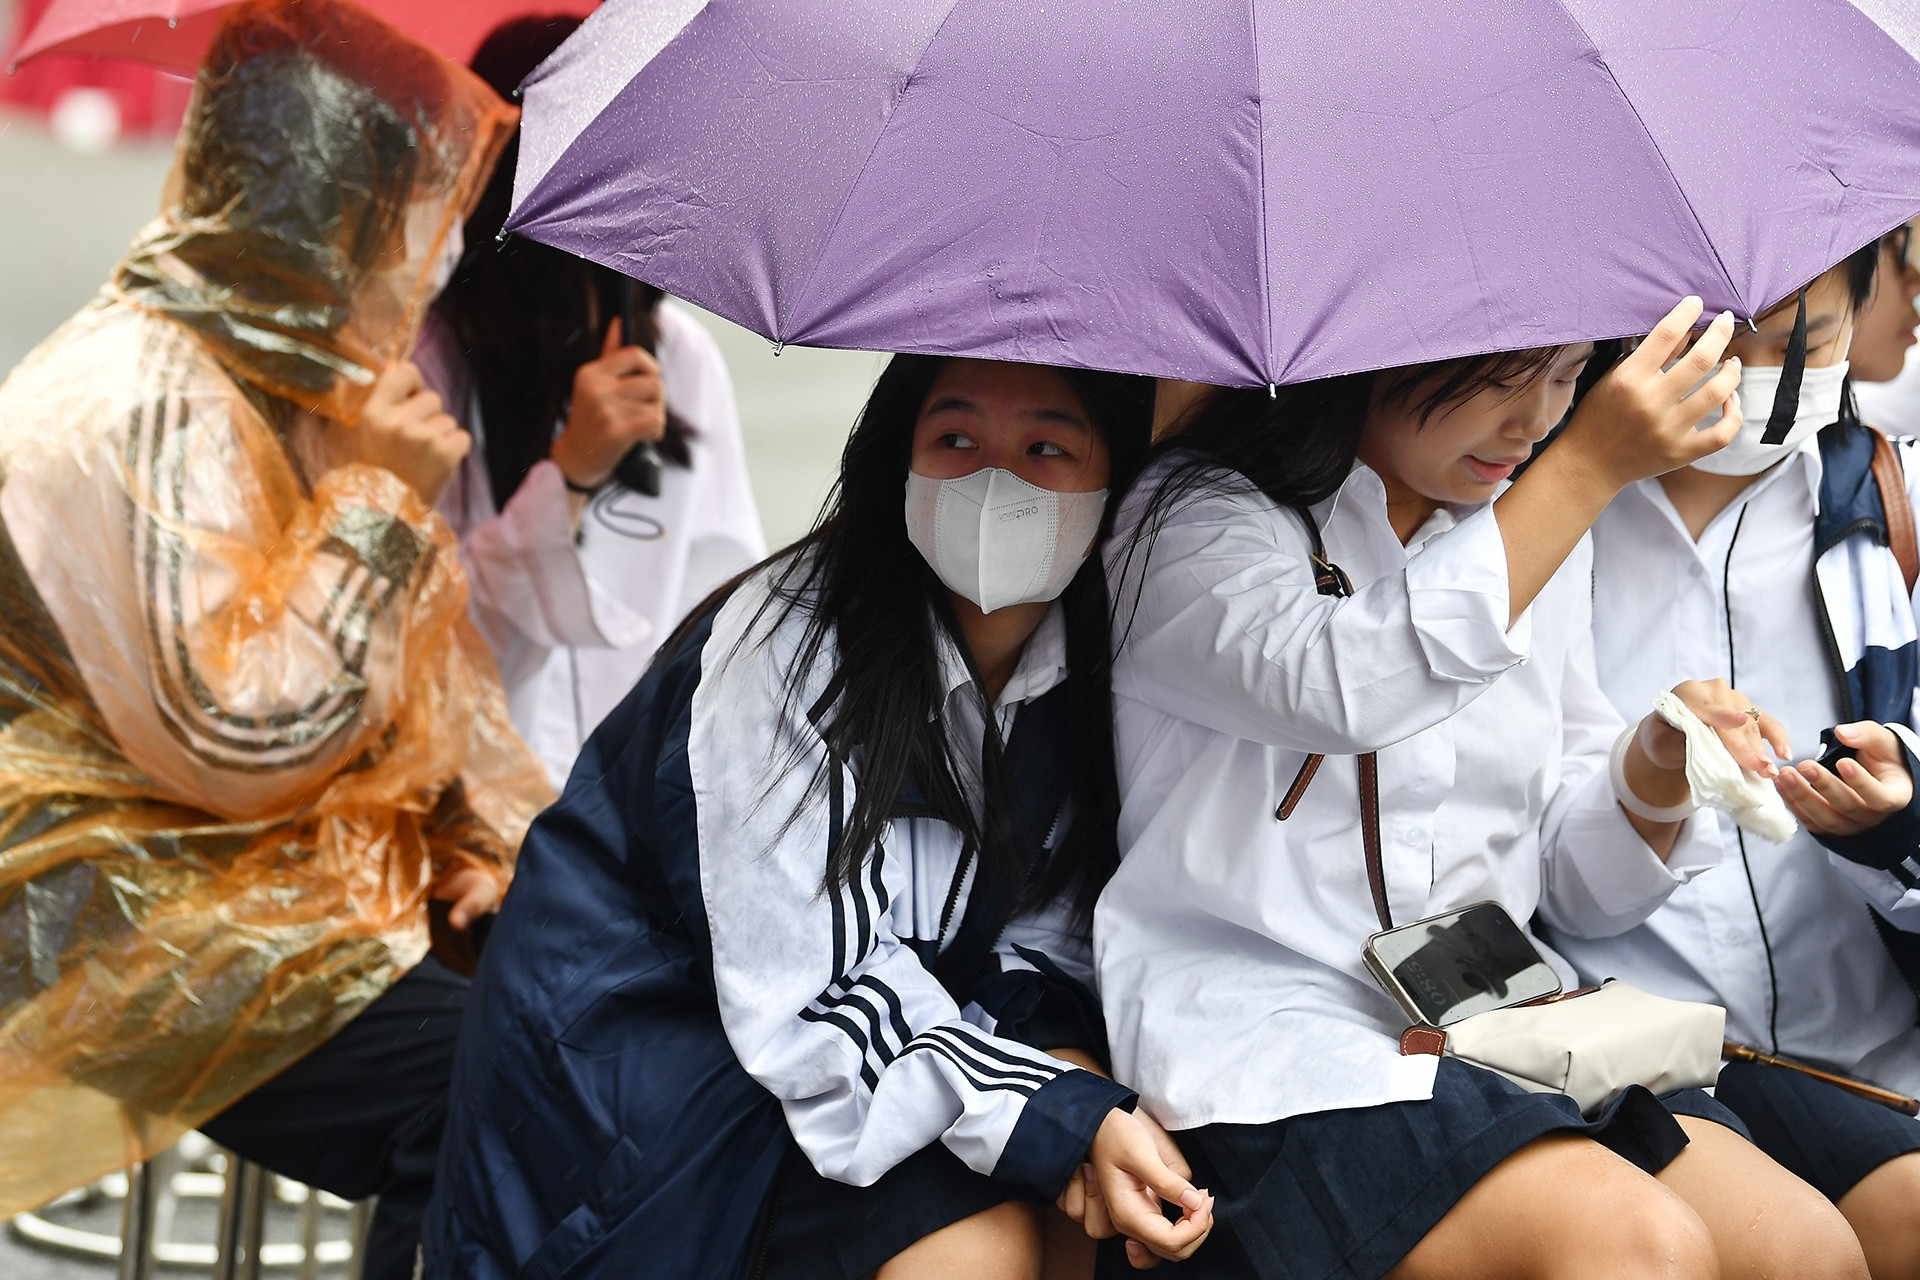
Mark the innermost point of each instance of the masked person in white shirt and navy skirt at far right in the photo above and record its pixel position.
(1769, 567)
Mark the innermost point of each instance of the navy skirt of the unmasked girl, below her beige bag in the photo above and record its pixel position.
(1351, 1193)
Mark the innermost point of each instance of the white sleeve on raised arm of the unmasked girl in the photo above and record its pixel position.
(1222, 627)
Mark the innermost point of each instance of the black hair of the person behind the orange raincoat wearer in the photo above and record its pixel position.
(529, 316)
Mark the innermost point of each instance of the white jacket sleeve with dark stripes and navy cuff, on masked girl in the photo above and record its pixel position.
(823, 1001)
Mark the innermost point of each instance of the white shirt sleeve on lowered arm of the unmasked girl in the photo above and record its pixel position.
(1600, 878)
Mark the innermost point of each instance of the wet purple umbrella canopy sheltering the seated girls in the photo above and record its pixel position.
(1234, 193)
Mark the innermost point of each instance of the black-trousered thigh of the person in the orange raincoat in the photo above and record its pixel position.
(335, 1118)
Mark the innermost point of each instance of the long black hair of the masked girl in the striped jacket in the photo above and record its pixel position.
(873, 602)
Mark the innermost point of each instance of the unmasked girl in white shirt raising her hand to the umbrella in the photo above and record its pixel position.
(1445, 673)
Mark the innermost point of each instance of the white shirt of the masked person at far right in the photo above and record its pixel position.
(1779, 934)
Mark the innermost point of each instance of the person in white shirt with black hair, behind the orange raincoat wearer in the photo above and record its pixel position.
(562, 369)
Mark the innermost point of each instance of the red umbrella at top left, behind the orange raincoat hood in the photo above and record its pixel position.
(176, 34)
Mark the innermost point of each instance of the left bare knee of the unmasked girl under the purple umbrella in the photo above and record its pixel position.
(1564, 1208)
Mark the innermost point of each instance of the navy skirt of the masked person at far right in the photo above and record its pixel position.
(1819, 1131)
